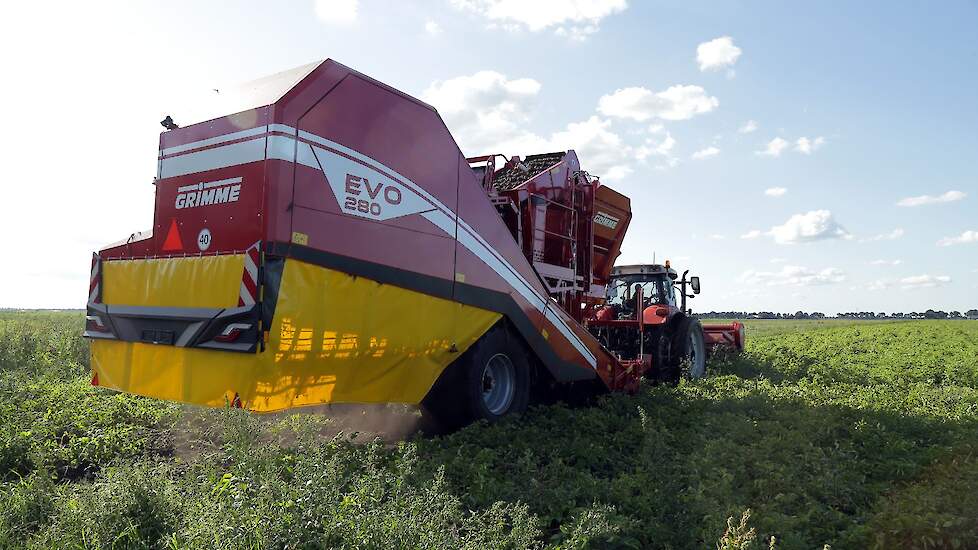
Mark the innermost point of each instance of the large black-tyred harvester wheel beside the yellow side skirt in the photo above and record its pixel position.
(487, 382)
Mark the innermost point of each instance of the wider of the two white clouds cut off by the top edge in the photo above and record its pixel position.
(571, 18)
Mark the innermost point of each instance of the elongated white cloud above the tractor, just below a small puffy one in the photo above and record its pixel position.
(680, 102)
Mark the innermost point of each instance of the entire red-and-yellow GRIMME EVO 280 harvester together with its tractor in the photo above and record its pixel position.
(326, 241)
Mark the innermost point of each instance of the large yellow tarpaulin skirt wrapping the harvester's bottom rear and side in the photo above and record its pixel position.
(335, 338)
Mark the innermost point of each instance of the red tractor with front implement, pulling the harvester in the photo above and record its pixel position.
(645, 323)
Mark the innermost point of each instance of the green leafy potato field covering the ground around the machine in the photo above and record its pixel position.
(853, 435)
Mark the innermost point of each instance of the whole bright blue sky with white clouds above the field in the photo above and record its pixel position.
(872, 103)
